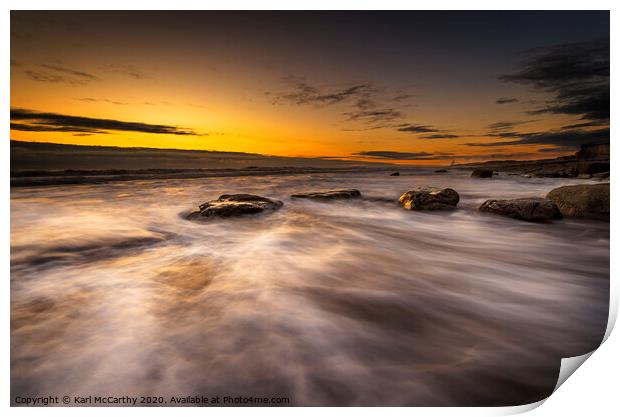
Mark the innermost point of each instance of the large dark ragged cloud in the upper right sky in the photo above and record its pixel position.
(576, 76)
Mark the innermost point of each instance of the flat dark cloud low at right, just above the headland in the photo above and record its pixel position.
(574, 137)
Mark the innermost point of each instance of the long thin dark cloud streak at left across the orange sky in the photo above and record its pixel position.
(45, 122)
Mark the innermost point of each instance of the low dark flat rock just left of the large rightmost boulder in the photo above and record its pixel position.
(532, 209)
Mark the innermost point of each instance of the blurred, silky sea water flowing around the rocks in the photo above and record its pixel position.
(349, 303)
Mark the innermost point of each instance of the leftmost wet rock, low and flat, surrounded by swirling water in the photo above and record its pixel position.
(229, 205)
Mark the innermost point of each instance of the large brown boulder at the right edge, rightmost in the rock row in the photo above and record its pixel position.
(590, 201)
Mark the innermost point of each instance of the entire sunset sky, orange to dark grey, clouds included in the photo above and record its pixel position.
(408, 87)
